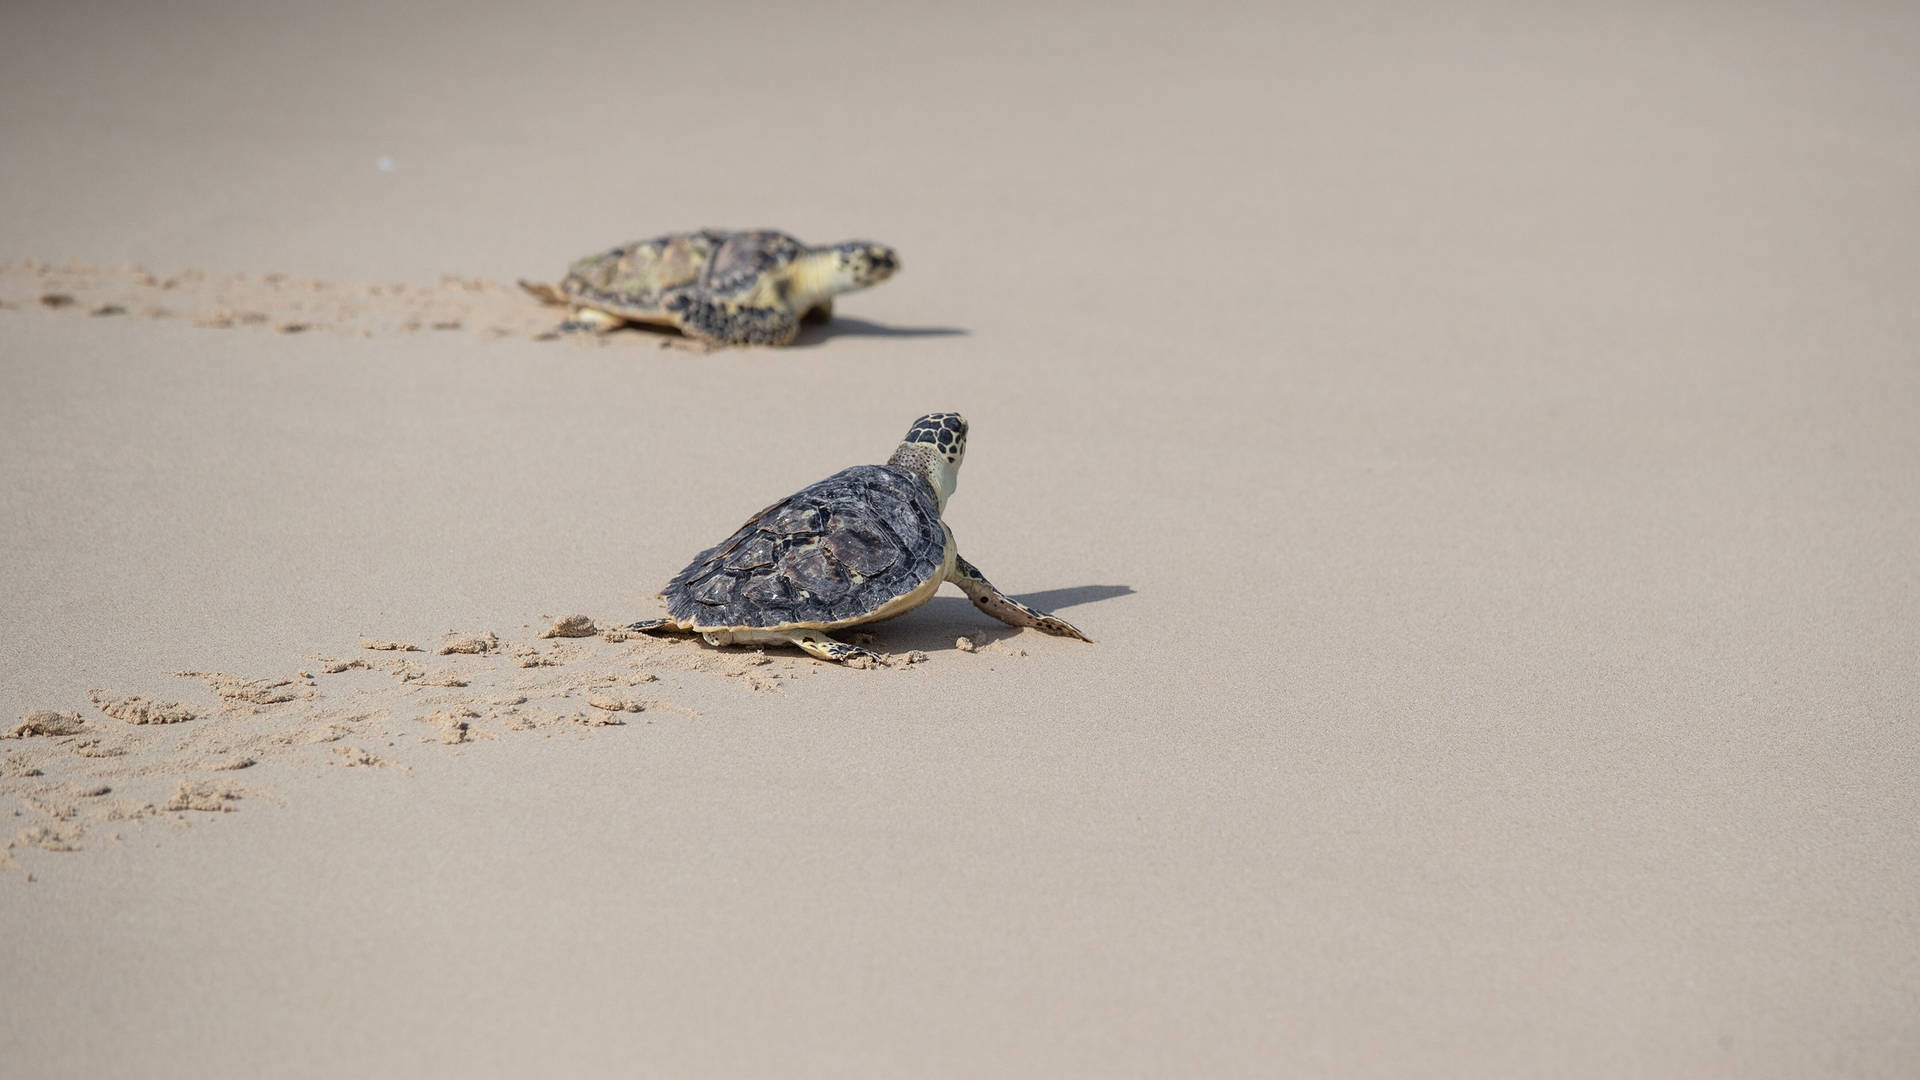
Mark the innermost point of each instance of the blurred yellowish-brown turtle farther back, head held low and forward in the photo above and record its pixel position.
(732, 289)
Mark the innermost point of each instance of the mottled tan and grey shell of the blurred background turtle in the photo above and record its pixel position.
(663, 276)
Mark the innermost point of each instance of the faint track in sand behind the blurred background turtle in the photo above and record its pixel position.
(289, 305)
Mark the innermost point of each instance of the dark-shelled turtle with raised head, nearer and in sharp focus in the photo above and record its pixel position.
(859, 547)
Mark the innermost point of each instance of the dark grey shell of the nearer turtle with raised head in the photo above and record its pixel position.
(830, 554)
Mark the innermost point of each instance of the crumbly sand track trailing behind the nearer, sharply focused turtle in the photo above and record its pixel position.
(84, 773)
